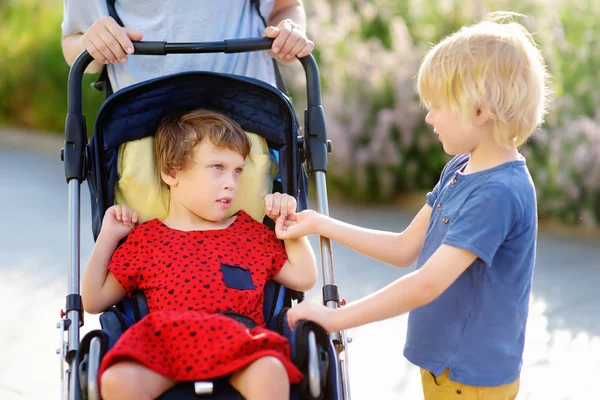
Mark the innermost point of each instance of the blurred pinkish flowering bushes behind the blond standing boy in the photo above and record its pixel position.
(369, 57)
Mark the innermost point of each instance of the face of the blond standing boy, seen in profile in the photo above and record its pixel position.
(457, 131)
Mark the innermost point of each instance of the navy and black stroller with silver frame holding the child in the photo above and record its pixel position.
(134, 113)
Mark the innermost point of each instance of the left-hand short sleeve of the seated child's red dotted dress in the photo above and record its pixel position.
(129, 261)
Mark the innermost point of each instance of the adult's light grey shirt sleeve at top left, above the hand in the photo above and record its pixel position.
(79, 15)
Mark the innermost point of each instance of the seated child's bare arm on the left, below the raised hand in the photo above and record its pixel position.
(100, 289)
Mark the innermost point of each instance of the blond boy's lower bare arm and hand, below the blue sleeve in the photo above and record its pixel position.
(405, 294)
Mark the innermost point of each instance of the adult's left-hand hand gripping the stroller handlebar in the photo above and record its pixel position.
(107, 41)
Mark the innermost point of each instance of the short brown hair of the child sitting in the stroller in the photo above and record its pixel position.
(177, 135)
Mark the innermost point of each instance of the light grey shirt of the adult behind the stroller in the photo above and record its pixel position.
(179, 21)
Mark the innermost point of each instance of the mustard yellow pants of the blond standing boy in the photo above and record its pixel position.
(442, 388)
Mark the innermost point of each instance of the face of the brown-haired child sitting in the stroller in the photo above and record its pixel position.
(209, 183)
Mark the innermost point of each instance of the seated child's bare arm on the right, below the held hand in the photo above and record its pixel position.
(300, 270)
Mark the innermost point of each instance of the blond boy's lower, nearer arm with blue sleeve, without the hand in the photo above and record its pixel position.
(467, 239)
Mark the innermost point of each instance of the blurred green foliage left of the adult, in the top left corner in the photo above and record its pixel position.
(33, 71)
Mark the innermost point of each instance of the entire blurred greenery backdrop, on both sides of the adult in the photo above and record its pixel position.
(368, 53)
